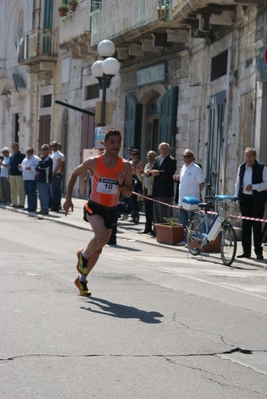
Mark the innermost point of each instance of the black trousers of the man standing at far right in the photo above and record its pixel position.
(248, 208)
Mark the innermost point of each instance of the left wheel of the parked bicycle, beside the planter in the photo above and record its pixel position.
(194, 235)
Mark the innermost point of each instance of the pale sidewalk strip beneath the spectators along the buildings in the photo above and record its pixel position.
(126, 231)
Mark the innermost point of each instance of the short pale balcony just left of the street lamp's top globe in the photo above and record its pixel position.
(74, 31)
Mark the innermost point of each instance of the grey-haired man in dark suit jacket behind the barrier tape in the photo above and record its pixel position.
(163, 186)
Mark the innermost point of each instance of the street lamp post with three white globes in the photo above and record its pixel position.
(104, 71)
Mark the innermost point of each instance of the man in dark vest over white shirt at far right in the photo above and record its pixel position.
(251, 190)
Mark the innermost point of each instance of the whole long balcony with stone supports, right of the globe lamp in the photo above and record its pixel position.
(137, 27)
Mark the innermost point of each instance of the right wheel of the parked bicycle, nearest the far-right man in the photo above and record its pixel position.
(228, 244)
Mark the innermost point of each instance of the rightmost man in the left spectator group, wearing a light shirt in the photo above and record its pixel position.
(55, 186)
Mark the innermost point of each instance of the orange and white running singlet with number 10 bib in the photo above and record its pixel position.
(105, 189)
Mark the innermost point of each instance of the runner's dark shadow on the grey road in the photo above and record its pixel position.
(122, 311)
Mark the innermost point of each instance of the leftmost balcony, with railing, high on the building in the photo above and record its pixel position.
(38, 48)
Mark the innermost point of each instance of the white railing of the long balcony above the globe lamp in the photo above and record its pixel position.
(126, 16)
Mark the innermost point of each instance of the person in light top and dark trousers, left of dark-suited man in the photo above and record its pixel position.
(147, 179)
